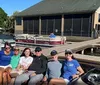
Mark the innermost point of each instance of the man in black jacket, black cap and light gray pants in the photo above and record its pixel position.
(35, 71)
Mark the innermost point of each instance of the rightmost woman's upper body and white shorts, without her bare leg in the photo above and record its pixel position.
(71, 67)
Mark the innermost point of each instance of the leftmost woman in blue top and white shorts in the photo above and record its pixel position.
(5, 67)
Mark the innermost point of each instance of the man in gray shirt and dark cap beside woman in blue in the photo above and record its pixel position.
(54, 67)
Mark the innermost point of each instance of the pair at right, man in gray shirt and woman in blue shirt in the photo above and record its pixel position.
(62, 73)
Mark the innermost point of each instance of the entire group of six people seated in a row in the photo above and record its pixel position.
(36, 67)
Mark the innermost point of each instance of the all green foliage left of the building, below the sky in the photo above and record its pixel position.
(6, 22)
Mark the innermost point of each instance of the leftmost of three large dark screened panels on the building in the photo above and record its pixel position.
(31, 25)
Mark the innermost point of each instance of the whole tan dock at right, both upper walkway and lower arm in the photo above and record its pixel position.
(75, 47)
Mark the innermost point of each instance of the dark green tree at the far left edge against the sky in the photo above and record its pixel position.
(3, 17)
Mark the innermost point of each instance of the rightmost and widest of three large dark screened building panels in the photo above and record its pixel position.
(78, 25)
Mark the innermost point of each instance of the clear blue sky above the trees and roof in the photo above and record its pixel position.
(10, 6)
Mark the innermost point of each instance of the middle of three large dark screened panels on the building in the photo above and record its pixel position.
(51, 24)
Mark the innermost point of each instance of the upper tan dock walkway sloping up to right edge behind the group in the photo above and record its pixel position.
(74, 46)
